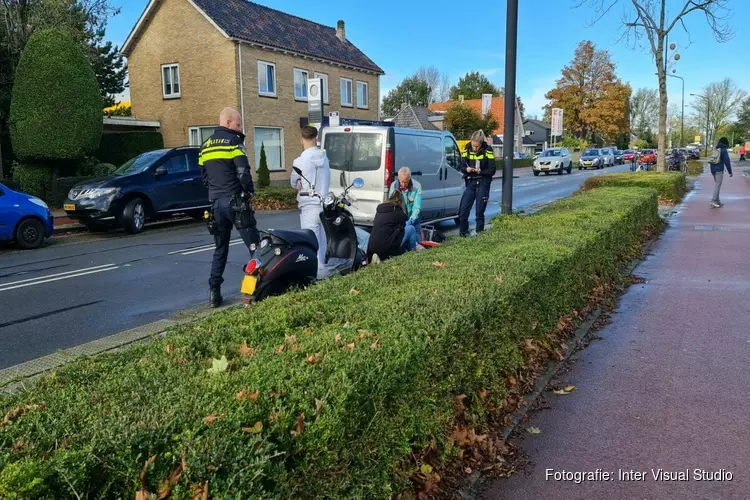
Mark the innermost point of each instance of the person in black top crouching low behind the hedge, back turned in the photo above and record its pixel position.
(390, 236)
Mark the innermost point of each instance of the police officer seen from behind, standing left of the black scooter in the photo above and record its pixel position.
(226, 173)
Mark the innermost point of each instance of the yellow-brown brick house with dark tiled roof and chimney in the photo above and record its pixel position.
(188, 59)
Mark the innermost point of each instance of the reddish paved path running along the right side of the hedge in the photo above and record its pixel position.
(668, 385)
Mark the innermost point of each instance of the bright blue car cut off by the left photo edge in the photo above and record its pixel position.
(24, 219)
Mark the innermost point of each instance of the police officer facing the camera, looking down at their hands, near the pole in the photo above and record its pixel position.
(478, 167)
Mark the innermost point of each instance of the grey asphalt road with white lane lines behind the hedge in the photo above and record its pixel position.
(83, 287)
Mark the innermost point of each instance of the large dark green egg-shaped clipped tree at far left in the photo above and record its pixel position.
(56, 108)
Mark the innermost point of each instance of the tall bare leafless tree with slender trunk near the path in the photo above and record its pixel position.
(647, 20)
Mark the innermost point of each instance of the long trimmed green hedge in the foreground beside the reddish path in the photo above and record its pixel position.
(336, 385)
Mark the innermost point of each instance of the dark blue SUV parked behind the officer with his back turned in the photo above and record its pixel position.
(153, 185)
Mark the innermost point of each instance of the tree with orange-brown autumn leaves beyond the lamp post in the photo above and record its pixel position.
(594, 100)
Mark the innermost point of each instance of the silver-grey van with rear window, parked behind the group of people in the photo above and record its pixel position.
(376, 153)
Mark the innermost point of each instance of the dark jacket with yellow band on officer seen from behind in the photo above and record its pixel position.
(224, 167)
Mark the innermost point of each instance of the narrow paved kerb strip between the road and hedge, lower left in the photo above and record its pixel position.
(20, 376)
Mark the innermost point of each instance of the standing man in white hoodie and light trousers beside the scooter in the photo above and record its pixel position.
(313, 163)
